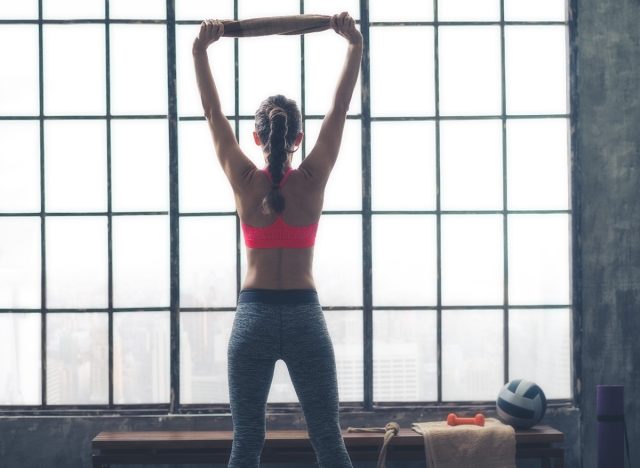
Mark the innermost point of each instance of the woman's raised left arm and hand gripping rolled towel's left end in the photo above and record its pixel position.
(236, 165)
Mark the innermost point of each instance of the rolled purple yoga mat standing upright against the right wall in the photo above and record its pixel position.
(610, 412)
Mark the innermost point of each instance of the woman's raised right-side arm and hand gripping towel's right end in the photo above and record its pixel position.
(318, 164)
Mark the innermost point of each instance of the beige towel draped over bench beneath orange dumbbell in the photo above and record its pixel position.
(468, 446)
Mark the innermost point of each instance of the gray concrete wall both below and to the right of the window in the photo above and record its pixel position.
(608, 214)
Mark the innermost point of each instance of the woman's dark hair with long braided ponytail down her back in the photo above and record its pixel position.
(278, 123)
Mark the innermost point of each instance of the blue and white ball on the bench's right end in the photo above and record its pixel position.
(521, 403)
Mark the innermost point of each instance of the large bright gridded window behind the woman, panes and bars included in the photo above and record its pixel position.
(443, 255)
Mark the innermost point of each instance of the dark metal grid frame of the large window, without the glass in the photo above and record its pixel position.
(174, 406)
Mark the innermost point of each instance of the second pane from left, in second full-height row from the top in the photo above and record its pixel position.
(75, 165)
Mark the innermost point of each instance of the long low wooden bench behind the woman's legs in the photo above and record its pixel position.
(291, 446)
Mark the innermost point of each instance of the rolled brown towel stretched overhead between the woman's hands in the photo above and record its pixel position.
(270, 25)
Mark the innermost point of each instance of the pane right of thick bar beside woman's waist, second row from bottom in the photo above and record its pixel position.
(404, 260)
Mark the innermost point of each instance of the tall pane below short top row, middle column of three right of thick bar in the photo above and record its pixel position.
(472, 51)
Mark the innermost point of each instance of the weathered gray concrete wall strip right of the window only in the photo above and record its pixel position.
(608, 146)
